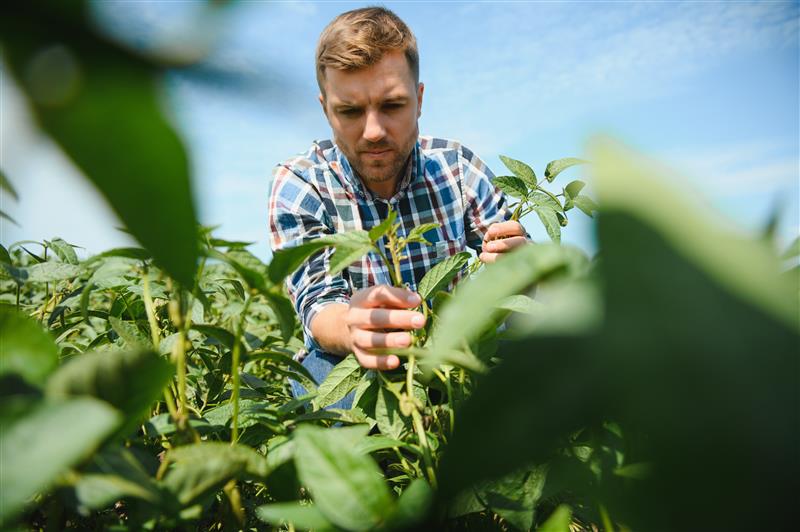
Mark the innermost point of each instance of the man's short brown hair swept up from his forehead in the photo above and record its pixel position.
(359, 38)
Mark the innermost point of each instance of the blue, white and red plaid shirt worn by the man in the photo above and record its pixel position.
(317, 193)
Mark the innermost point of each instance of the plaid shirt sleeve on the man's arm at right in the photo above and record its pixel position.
(484, 203)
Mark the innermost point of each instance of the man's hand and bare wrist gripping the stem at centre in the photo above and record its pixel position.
(376, 317)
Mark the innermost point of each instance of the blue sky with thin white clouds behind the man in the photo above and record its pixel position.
(710, 88)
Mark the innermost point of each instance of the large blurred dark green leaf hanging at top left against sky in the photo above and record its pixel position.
(102, 105)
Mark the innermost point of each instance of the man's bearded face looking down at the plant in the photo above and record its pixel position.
(373, 113)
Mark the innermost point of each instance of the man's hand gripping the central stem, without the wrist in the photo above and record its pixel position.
(375, 310)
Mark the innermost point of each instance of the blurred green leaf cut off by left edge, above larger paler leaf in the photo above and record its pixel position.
(26, 349)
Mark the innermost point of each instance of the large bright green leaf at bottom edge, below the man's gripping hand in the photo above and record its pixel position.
(347, 486)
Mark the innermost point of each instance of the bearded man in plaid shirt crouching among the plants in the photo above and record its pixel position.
(368, 75)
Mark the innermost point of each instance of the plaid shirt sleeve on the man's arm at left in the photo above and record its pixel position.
(297, 216)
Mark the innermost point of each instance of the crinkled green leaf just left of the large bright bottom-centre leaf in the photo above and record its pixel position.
(203, 468)
